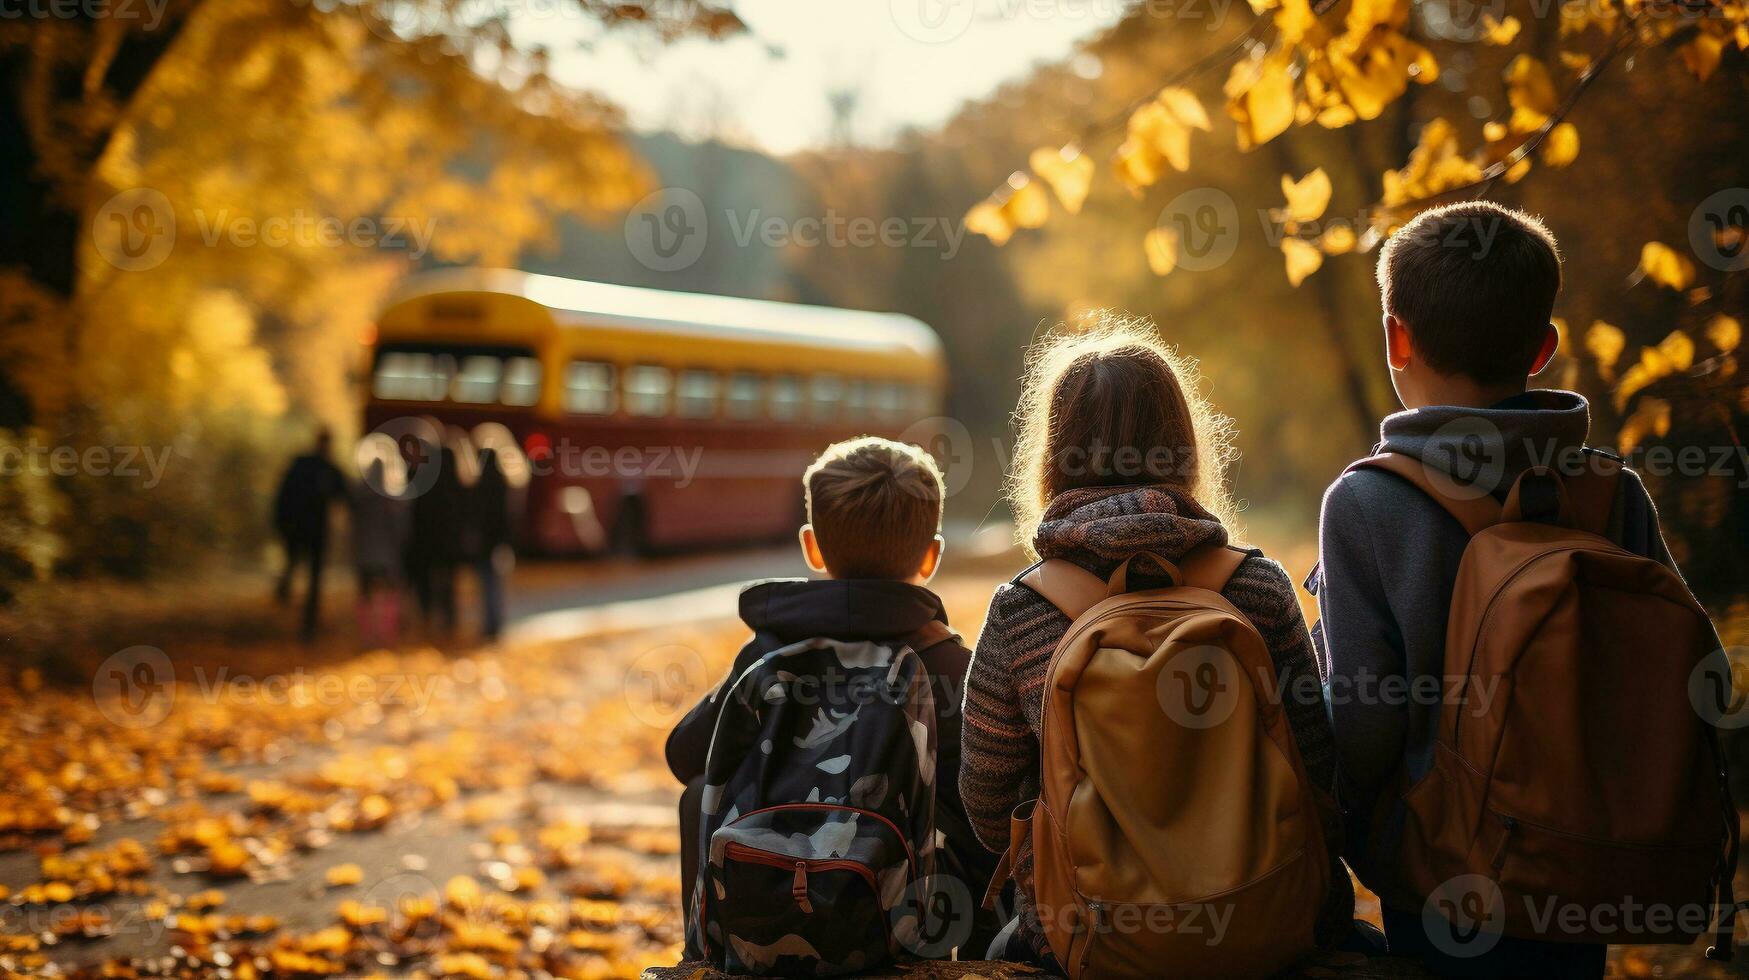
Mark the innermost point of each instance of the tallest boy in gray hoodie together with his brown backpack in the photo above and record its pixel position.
(1510, 645)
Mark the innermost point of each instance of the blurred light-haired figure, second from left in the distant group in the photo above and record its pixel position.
(380, 526)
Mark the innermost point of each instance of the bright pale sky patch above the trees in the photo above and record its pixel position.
(909, 62)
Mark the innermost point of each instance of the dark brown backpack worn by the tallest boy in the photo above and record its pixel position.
(1571, 769)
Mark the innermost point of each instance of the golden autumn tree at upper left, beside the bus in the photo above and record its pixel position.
(188, 127)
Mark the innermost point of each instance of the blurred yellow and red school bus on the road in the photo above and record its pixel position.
(650, 419)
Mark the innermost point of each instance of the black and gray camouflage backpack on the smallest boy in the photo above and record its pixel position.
(818, 829)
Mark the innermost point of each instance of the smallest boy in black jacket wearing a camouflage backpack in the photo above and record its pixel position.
(821, 829)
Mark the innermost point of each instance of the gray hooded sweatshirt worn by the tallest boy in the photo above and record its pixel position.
(1388, 566)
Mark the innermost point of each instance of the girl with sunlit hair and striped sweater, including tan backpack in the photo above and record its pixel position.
(1145, 725)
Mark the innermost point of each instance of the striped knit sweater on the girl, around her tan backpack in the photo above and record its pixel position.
(1005, 689)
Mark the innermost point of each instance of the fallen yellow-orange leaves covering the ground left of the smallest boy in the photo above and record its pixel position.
(237, 794)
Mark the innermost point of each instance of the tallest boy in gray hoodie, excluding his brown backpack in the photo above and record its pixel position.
(1468, 291)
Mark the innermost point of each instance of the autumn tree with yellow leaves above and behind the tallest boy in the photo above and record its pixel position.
(1470, 101)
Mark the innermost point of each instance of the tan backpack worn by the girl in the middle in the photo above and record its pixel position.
(1176, 832)
